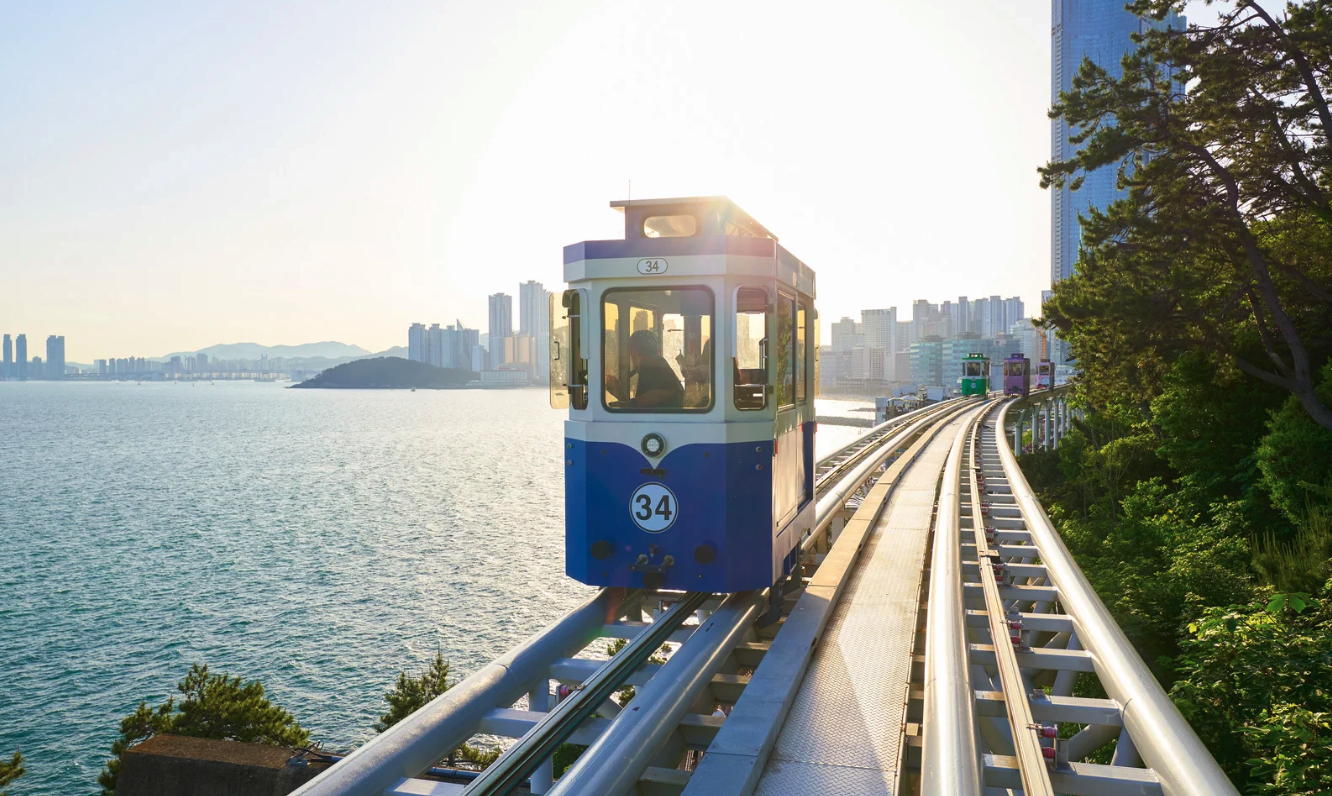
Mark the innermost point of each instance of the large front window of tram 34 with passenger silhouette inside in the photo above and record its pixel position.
(657, 351)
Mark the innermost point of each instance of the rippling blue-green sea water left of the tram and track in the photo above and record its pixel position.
(319, 541)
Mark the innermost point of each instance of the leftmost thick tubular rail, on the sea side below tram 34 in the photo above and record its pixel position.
(416, 743)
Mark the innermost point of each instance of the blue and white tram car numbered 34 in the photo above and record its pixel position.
(685, 355)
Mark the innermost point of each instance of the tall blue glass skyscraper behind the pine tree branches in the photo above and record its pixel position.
(1098, 30)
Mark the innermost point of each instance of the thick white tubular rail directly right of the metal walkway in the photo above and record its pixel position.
(950, 758)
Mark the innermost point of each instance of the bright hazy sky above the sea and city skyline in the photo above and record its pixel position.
(179, 175)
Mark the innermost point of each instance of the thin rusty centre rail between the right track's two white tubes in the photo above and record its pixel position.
(1026, 733)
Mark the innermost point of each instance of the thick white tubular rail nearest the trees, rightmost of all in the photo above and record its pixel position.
(1165, 741)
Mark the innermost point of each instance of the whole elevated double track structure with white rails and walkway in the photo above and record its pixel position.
(930, 644)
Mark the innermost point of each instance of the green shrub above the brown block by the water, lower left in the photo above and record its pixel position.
(211, 706)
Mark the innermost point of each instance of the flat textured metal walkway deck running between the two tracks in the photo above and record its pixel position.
(844, 734)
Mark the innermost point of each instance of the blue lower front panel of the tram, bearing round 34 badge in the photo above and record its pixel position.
(720, 538)
